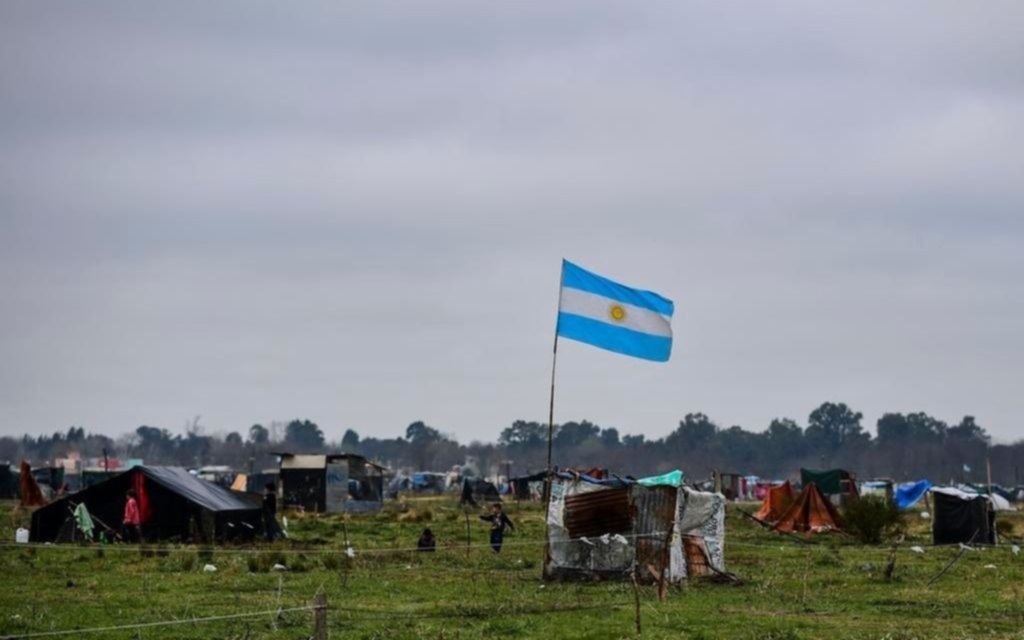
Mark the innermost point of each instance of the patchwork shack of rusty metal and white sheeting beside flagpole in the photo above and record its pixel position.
(655, 527)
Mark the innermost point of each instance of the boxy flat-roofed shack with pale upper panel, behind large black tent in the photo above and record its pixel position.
(331, 484)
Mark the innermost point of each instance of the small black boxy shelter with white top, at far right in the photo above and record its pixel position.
(962, 518)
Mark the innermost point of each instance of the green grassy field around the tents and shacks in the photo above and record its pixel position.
(831, 590)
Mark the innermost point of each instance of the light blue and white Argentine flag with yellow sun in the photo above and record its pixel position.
(607, 315)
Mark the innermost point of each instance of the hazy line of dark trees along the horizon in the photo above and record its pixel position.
(905, 447)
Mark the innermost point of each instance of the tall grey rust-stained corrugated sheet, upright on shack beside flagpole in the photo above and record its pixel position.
(654, 516)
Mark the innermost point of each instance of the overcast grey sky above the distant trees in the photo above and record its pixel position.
(356, 214)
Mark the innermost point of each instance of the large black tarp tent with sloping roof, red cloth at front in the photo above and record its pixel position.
(175, 506)
